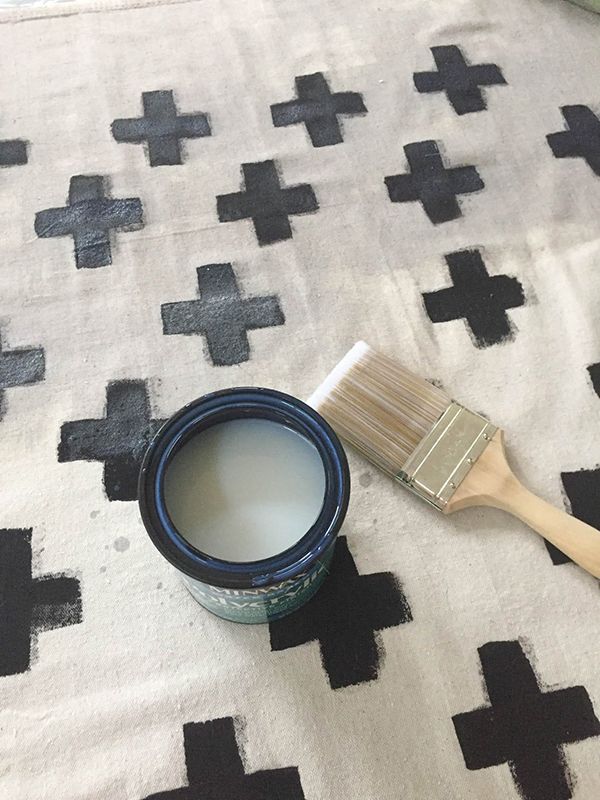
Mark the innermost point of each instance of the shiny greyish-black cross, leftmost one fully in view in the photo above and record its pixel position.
(89, 217)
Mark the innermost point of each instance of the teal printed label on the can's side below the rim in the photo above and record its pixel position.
(263, 603)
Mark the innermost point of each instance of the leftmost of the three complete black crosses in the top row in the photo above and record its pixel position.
(161, 128)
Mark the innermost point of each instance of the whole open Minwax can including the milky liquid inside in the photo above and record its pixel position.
(244, 492)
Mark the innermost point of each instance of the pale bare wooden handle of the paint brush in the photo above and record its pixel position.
(491, 482)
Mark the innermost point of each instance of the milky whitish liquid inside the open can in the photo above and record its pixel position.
(245, 490)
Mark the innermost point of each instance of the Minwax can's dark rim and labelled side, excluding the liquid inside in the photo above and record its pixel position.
(268, 588)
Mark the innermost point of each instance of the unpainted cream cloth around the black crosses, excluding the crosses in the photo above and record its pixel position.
(100, 713)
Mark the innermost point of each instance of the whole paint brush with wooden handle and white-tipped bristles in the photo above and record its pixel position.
(446, 454)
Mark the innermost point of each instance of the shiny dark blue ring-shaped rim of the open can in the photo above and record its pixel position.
(221, 406)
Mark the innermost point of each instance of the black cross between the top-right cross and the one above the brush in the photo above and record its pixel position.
(434, 185)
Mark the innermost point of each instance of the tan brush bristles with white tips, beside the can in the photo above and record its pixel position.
(379, 407)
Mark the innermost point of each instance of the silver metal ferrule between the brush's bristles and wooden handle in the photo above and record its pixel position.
(446, 454)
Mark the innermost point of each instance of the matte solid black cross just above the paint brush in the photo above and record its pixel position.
(477, 297)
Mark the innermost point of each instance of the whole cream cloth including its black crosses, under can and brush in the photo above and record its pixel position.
(207, 194)
